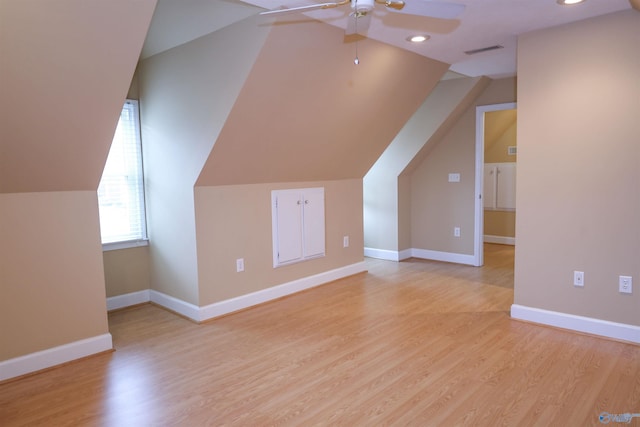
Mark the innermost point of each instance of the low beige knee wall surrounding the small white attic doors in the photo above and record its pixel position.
(235, 222)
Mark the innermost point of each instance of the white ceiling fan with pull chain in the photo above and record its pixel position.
(361, 10)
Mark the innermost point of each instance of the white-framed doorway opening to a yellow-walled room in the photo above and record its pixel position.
(488, 191)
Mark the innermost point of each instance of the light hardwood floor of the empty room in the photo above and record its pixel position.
(414, 343)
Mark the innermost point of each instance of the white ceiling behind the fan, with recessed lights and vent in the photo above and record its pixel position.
(483, 23)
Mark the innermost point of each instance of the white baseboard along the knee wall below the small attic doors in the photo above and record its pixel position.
(244, 301)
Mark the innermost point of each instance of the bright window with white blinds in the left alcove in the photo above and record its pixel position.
(121, 189)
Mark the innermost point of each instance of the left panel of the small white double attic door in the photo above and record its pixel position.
(289, 227)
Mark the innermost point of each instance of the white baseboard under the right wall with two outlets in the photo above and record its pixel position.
(619, 331)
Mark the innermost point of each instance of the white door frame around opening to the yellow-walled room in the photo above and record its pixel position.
(478, 238)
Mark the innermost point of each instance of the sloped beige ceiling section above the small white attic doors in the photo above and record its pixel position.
(306, 112)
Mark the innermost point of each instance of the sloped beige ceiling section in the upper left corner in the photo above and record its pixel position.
(65, 68)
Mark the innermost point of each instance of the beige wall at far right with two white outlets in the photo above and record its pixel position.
(579, 167)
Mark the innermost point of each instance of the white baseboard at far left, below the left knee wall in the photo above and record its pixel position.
(50, 357)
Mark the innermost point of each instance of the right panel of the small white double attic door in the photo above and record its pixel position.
(313, 220)
